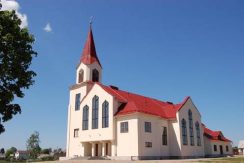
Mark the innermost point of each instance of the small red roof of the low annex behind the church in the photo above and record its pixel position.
(214, 135)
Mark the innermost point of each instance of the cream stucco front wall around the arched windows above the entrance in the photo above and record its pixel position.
(74, 145)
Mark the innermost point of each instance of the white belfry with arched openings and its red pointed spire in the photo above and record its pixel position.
(89, 68)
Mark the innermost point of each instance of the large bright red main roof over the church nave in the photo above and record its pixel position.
(137, 103)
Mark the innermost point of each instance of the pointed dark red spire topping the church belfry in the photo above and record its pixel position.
(89, 54)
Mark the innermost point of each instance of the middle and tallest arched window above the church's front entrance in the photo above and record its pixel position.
(95, 103)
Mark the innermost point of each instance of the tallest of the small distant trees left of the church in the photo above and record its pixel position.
(32, 145)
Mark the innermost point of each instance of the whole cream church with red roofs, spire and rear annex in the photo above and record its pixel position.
(104, 121)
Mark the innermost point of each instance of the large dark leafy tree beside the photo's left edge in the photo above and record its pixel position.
(16, 54)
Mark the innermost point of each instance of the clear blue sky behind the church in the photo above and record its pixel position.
(166, 49)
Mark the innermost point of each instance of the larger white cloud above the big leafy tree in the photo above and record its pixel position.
(14, 5)
